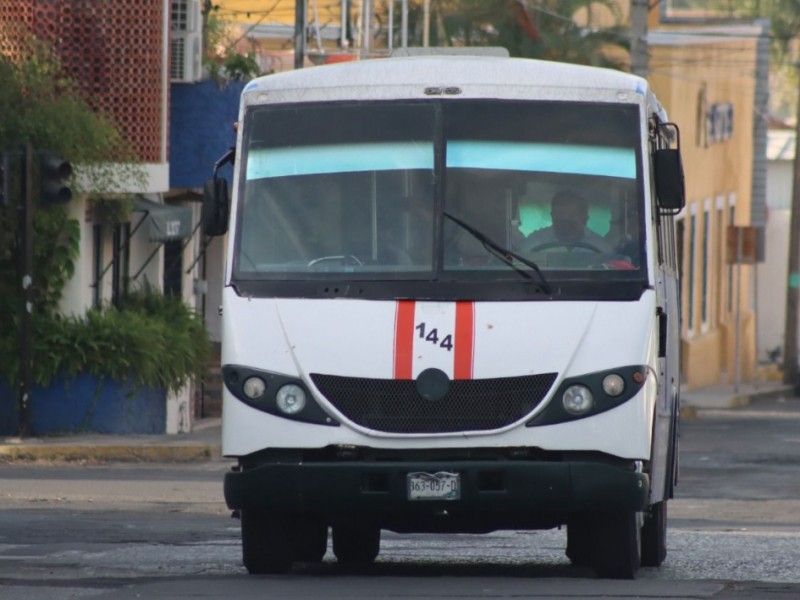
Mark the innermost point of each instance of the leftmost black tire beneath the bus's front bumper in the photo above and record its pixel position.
(267, 542)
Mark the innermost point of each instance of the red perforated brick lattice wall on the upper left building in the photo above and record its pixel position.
(114, 49)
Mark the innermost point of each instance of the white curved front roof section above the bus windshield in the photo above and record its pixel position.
(464, 76)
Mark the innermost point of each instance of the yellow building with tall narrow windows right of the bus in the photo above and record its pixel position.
(707, 78)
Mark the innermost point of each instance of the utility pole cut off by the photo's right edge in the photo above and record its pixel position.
(793, 283)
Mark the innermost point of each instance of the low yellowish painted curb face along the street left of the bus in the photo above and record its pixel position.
(110, 452)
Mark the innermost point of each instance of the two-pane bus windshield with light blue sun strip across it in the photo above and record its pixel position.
(361, 191)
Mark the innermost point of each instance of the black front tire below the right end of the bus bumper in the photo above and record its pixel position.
(616, 548)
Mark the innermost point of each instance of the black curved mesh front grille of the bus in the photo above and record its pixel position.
(395, 406)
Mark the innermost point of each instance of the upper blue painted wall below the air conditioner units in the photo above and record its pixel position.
(201, 130)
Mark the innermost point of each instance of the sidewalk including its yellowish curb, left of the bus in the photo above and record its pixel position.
(202, 444)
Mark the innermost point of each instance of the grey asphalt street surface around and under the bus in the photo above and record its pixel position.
(162, 531)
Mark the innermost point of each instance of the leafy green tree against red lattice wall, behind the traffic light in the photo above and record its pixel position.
(49, 112)
